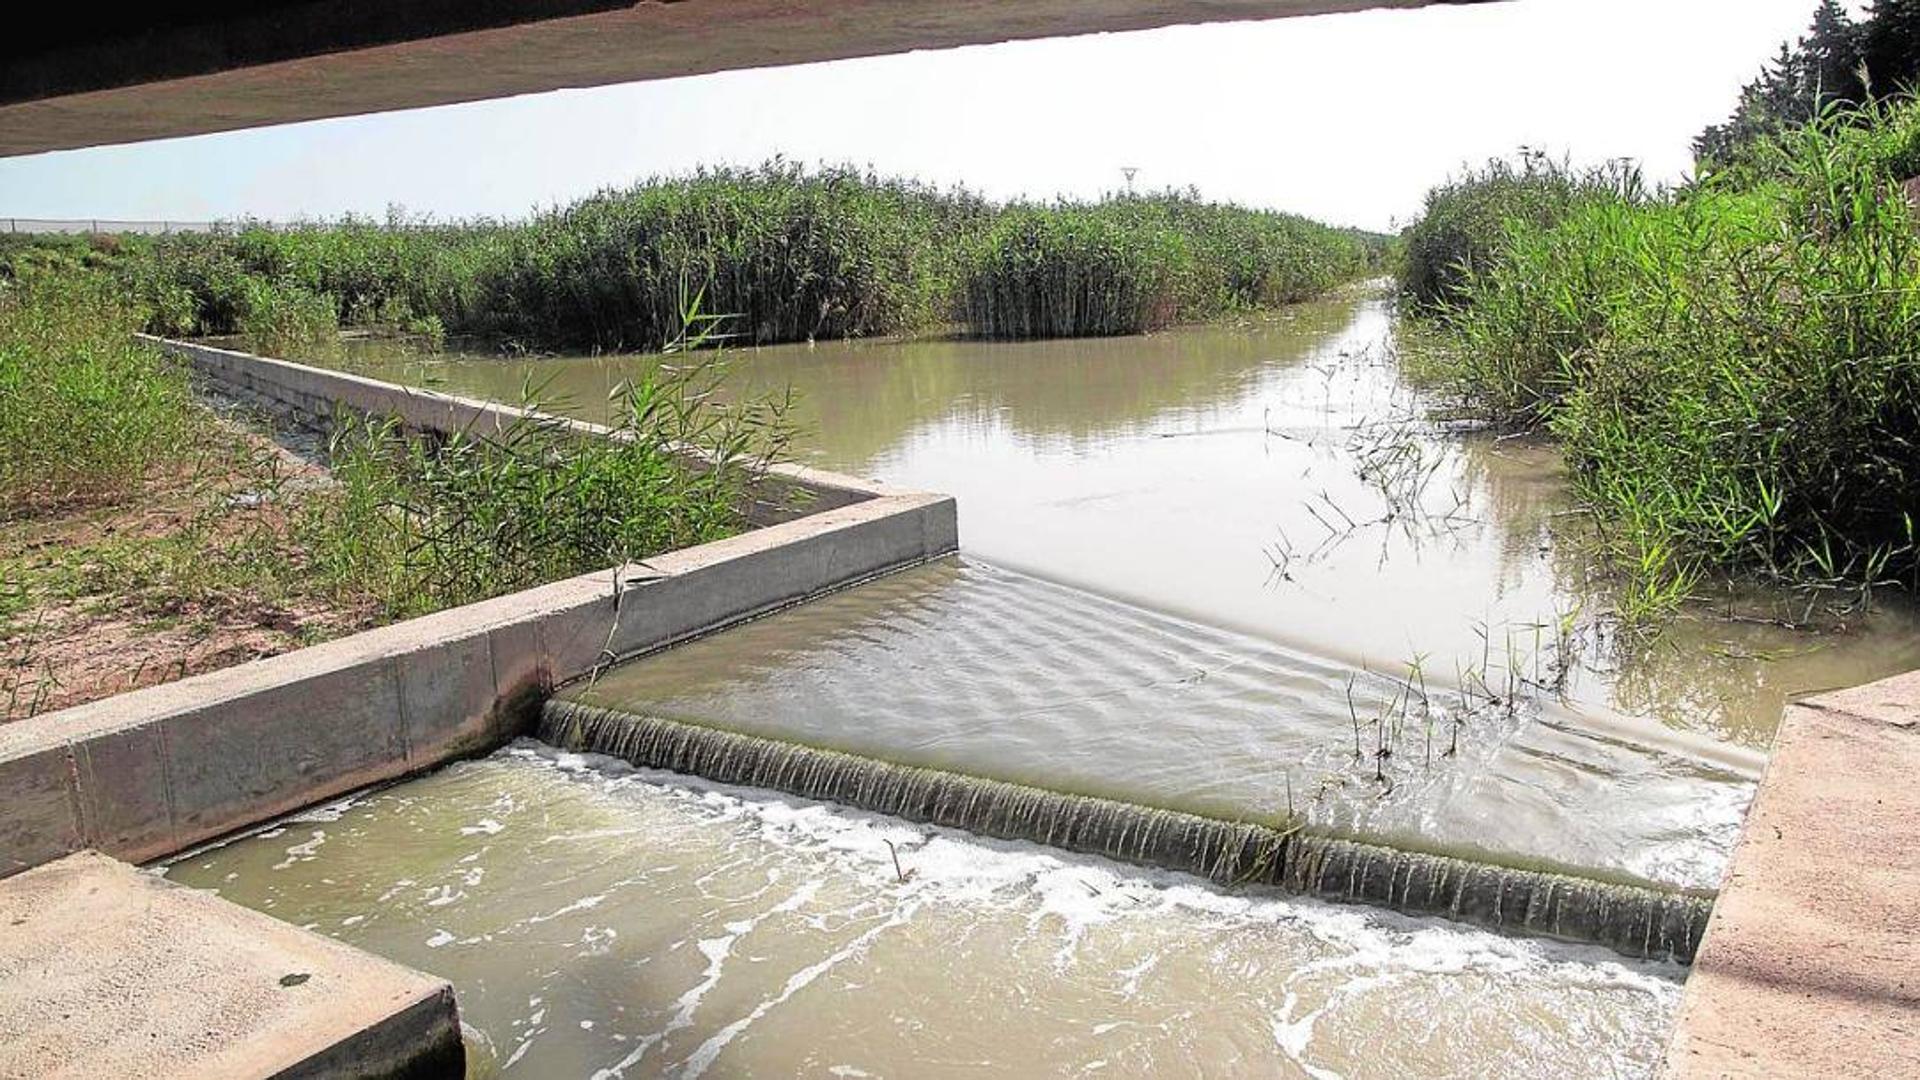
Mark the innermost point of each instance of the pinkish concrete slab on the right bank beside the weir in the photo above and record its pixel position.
(1812, 962)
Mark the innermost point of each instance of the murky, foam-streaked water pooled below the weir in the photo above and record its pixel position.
(613, 923)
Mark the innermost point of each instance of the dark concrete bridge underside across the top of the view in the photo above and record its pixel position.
(95, 80)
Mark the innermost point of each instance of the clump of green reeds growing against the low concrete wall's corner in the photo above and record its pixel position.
(425, 524)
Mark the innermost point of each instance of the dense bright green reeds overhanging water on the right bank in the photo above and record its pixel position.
(1731, 368)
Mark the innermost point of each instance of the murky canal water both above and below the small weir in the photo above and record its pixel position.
(1184, 558)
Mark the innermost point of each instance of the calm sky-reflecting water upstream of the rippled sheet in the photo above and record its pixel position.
(1222, 474)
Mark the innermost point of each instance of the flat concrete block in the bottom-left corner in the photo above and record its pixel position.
(108, 971)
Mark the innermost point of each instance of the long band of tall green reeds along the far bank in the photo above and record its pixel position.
(792, 255)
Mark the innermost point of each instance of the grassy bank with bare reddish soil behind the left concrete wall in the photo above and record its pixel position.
(122, 497)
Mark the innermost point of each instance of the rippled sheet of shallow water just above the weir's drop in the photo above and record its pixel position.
(994, 674)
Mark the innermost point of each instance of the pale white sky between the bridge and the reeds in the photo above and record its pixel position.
(1345, 118)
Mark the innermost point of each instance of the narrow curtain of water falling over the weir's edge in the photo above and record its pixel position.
(1637, 921)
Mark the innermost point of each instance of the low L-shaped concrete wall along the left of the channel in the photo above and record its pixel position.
(155, 772)
